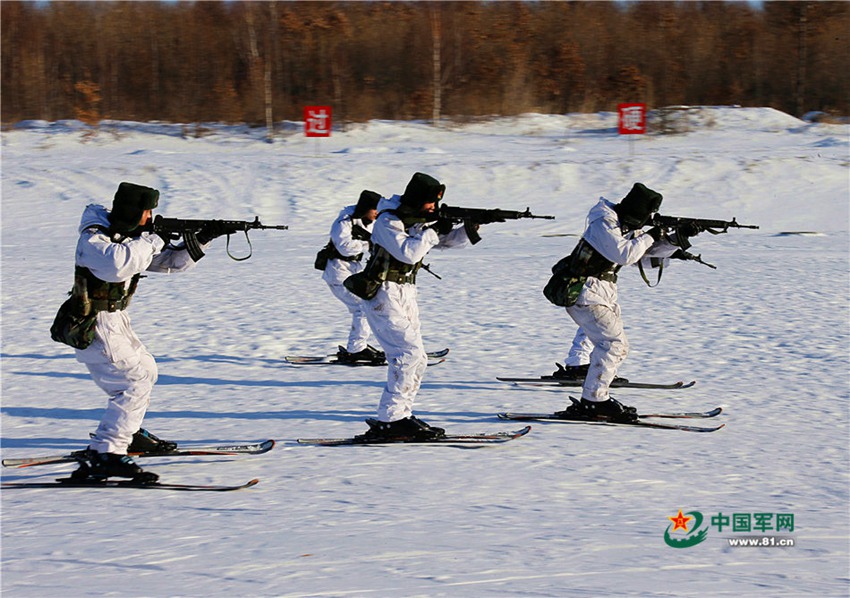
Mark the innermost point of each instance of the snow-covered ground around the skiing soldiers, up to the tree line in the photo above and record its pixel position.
(569, 510)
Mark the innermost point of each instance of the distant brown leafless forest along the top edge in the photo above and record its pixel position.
(262, 62)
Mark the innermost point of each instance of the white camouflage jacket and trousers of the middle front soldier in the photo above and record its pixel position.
(393, 313)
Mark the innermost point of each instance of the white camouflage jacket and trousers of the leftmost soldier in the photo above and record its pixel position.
(118, 361)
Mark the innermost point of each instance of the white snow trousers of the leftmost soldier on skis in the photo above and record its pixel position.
(120, 365)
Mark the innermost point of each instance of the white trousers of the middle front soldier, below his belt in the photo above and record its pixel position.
(393, 315)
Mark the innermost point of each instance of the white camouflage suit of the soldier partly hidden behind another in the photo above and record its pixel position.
(338, 270)
